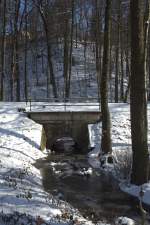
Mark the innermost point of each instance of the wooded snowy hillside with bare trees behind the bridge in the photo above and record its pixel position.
(49, 46)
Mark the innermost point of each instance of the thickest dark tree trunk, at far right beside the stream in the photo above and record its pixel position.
(138, 104)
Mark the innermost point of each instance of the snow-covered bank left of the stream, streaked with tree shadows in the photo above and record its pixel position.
(21, 190)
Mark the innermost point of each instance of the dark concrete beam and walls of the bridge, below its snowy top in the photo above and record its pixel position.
(66, 124)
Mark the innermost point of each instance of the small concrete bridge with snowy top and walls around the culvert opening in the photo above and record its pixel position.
(71, 120)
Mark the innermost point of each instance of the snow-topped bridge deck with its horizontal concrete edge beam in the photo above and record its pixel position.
(46, 112)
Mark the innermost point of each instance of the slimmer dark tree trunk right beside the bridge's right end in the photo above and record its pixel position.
(106, 126)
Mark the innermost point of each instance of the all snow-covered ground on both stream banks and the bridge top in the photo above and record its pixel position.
(21, 190)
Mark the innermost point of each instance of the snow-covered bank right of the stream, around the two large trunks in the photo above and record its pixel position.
(121, 146)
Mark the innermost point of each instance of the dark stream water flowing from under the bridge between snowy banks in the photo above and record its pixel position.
(95, 194)
